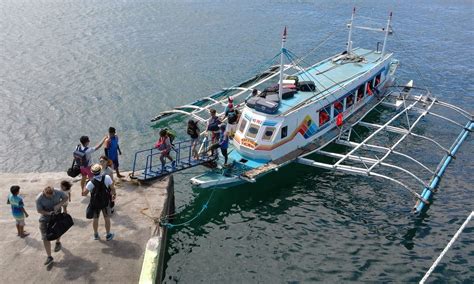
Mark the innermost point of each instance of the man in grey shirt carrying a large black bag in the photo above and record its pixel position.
(49, 202)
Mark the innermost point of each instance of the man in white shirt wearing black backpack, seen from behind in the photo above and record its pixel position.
(102, 197)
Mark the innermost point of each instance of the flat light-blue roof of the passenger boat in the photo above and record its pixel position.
(329, 75)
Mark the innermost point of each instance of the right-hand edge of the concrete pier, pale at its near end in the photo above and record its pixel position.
(154, 258)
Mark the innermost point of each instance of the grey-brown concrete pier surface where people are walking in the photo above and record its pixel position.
(83, 259)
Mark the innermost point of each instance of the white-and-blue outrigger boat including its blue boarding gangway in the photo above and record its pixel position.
(298, 113)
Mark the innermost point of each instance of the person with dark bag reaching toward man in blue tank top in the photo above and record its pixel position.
(82, 157)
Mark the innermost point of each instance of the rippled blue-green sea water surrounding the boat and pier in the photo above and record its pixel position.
(72, 68)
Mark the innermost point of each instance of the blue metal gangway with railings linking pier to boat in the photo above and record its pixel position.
(147, 165)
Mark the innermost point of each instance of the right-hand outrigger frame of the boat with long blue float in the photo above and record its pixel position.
(368, 158)
